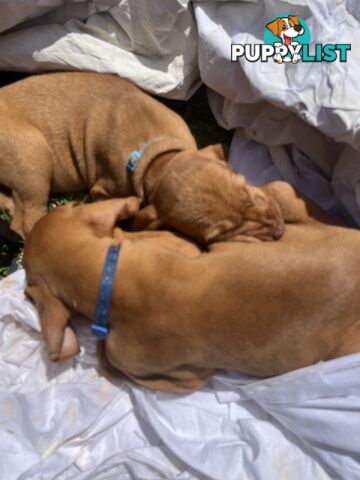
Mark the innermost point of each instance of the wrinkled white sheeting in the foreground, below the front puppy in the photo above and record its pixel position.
(66, 421)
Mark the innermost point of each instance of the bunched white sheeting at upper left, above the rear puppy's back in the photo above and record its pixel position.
(154, 44)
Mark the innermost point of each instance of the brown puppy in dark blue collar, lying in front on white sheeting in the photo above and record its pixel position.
(178, 313)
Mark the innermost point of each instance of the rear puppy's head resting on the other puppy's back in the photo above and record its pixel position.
(201, 197)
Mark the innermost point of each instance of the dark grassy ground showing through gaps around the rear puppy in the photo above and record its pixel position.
(196, 113)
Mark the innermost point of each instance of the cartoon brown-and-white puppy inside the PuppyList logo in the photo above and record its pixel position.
(287, 29)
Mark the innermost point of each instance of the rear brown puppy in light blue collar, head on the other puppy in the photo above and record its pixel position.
(67, 132)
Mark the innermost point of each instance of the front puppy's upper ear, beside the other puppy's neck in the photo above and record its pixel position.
(102, 216)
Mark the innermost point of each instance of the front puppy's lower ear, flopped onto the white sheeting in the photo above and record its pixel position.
(59, 338)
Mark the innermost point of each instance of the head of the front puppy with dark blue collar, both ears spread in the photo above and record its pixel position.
(50, 243)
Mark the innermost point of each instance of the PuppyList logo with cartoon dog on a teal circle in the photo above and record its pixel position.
(287, 40)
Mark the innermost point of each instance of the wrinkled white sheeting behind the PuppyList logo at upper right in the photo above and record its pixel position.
(279, 105)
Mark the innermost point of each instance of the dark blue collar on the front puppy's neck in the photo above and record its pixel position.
(100, 327)
